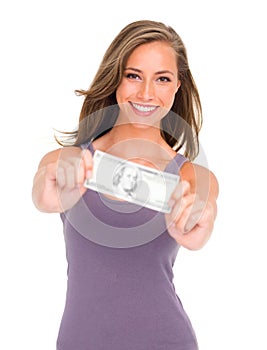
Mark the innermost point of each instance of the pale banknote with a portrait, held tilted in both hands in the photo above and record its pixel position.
(132, 182)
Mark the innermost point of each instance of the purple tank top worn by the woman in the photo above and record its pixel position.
(120, 291)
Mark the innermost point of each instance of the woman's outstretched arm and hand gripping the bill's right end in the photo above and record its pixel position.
(193, 206)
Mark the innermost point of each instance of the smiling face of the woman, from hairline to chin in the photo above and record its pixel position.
(149, 84)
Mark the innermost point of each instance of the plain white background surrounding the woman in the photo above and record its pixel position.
(49, 49)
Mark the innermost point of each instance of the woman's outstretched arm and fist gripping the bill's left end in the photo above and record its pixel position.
(58, 183)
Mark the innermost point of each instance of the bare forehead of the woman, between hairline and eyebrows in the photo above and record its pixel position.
(156, 53)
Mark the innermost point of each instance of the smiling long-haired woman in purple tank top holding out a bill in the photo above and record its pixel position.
(143, 106)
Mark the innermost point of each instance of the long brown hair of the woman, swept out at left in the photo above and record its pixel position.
(180, 127)
